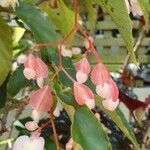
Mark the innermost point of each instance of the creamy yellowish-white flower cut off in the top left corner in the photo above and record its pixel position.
(7, 3)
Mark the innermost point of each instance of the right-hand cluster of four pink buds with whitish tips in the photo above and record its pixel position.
(105, 86)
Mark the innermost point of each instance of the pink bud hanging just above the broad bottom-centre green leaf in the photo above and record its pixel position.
(83, 95)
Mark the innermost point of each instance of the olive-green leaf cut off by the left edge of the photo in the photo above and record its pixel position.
(5, 50)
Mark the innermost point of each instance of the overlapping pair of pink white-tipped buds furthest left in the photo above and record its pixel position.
(35, 69)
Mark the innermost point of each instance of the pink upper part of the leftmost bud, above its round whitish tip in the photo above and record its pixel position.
(30, 62)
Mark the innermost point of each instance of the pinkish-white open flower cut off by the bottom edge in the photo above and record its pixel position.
(29, 143)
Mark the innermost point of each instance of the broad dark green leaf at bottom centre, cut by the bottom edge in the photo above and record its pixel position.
(88, 132)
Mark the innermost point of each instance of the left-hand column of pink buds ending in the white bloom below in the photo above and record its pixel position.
(41, 101)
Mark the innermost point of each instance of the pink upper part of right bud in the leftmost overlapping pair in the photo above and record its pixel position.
(41, 69)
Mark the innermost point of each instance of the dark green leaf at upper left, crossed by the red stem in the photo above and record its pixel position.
(41, 27)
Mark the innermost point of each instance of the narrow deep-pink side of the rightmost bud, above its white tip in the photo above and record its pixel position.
(115, 92)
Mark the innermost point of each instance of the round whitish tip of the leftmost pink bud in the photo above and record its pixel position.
(29, 73)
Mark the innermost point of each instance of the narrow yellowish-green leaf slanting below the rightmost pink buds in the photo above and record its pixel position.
(119, 119)
